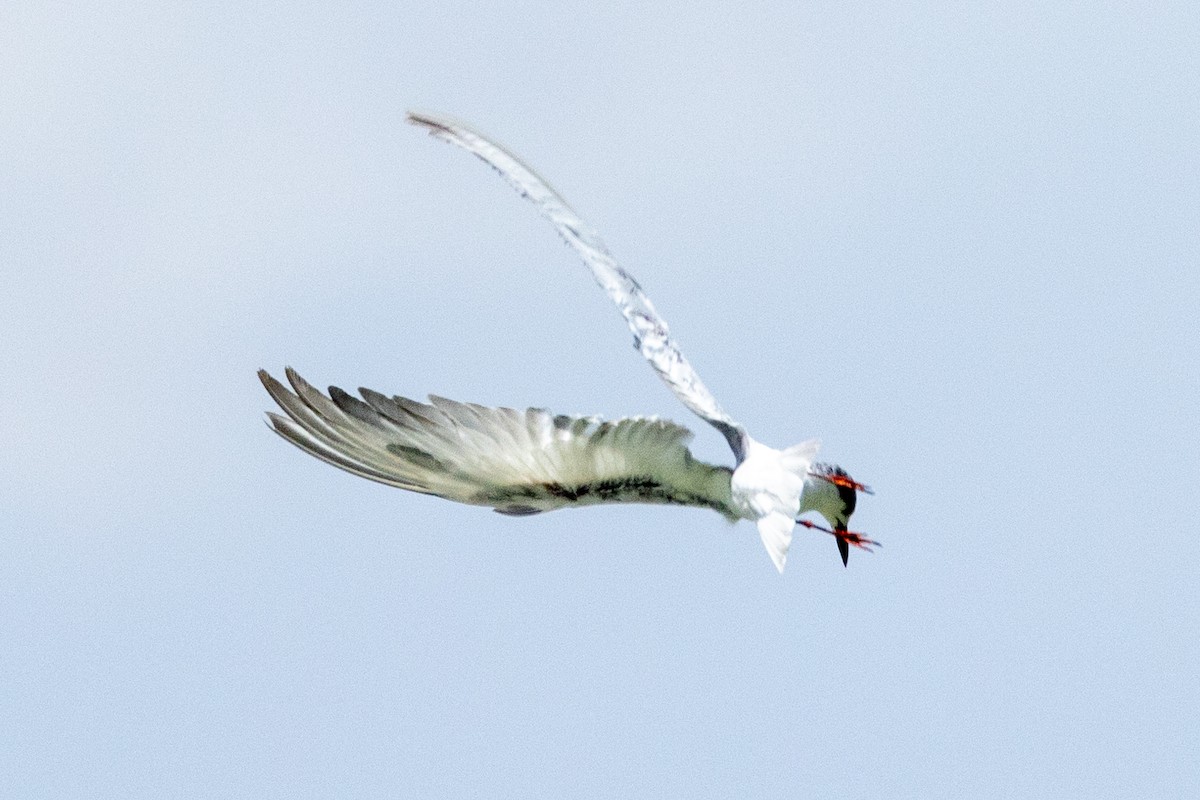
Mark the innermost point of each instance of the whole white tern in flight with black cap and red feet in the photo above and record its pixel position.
(530, 462)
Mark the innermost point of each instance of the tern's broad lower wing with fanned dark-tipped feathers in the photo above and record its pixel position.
(517, 462)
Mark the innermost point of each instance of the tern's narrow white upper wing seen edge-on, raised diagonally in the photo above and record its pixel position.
(651, 334)
